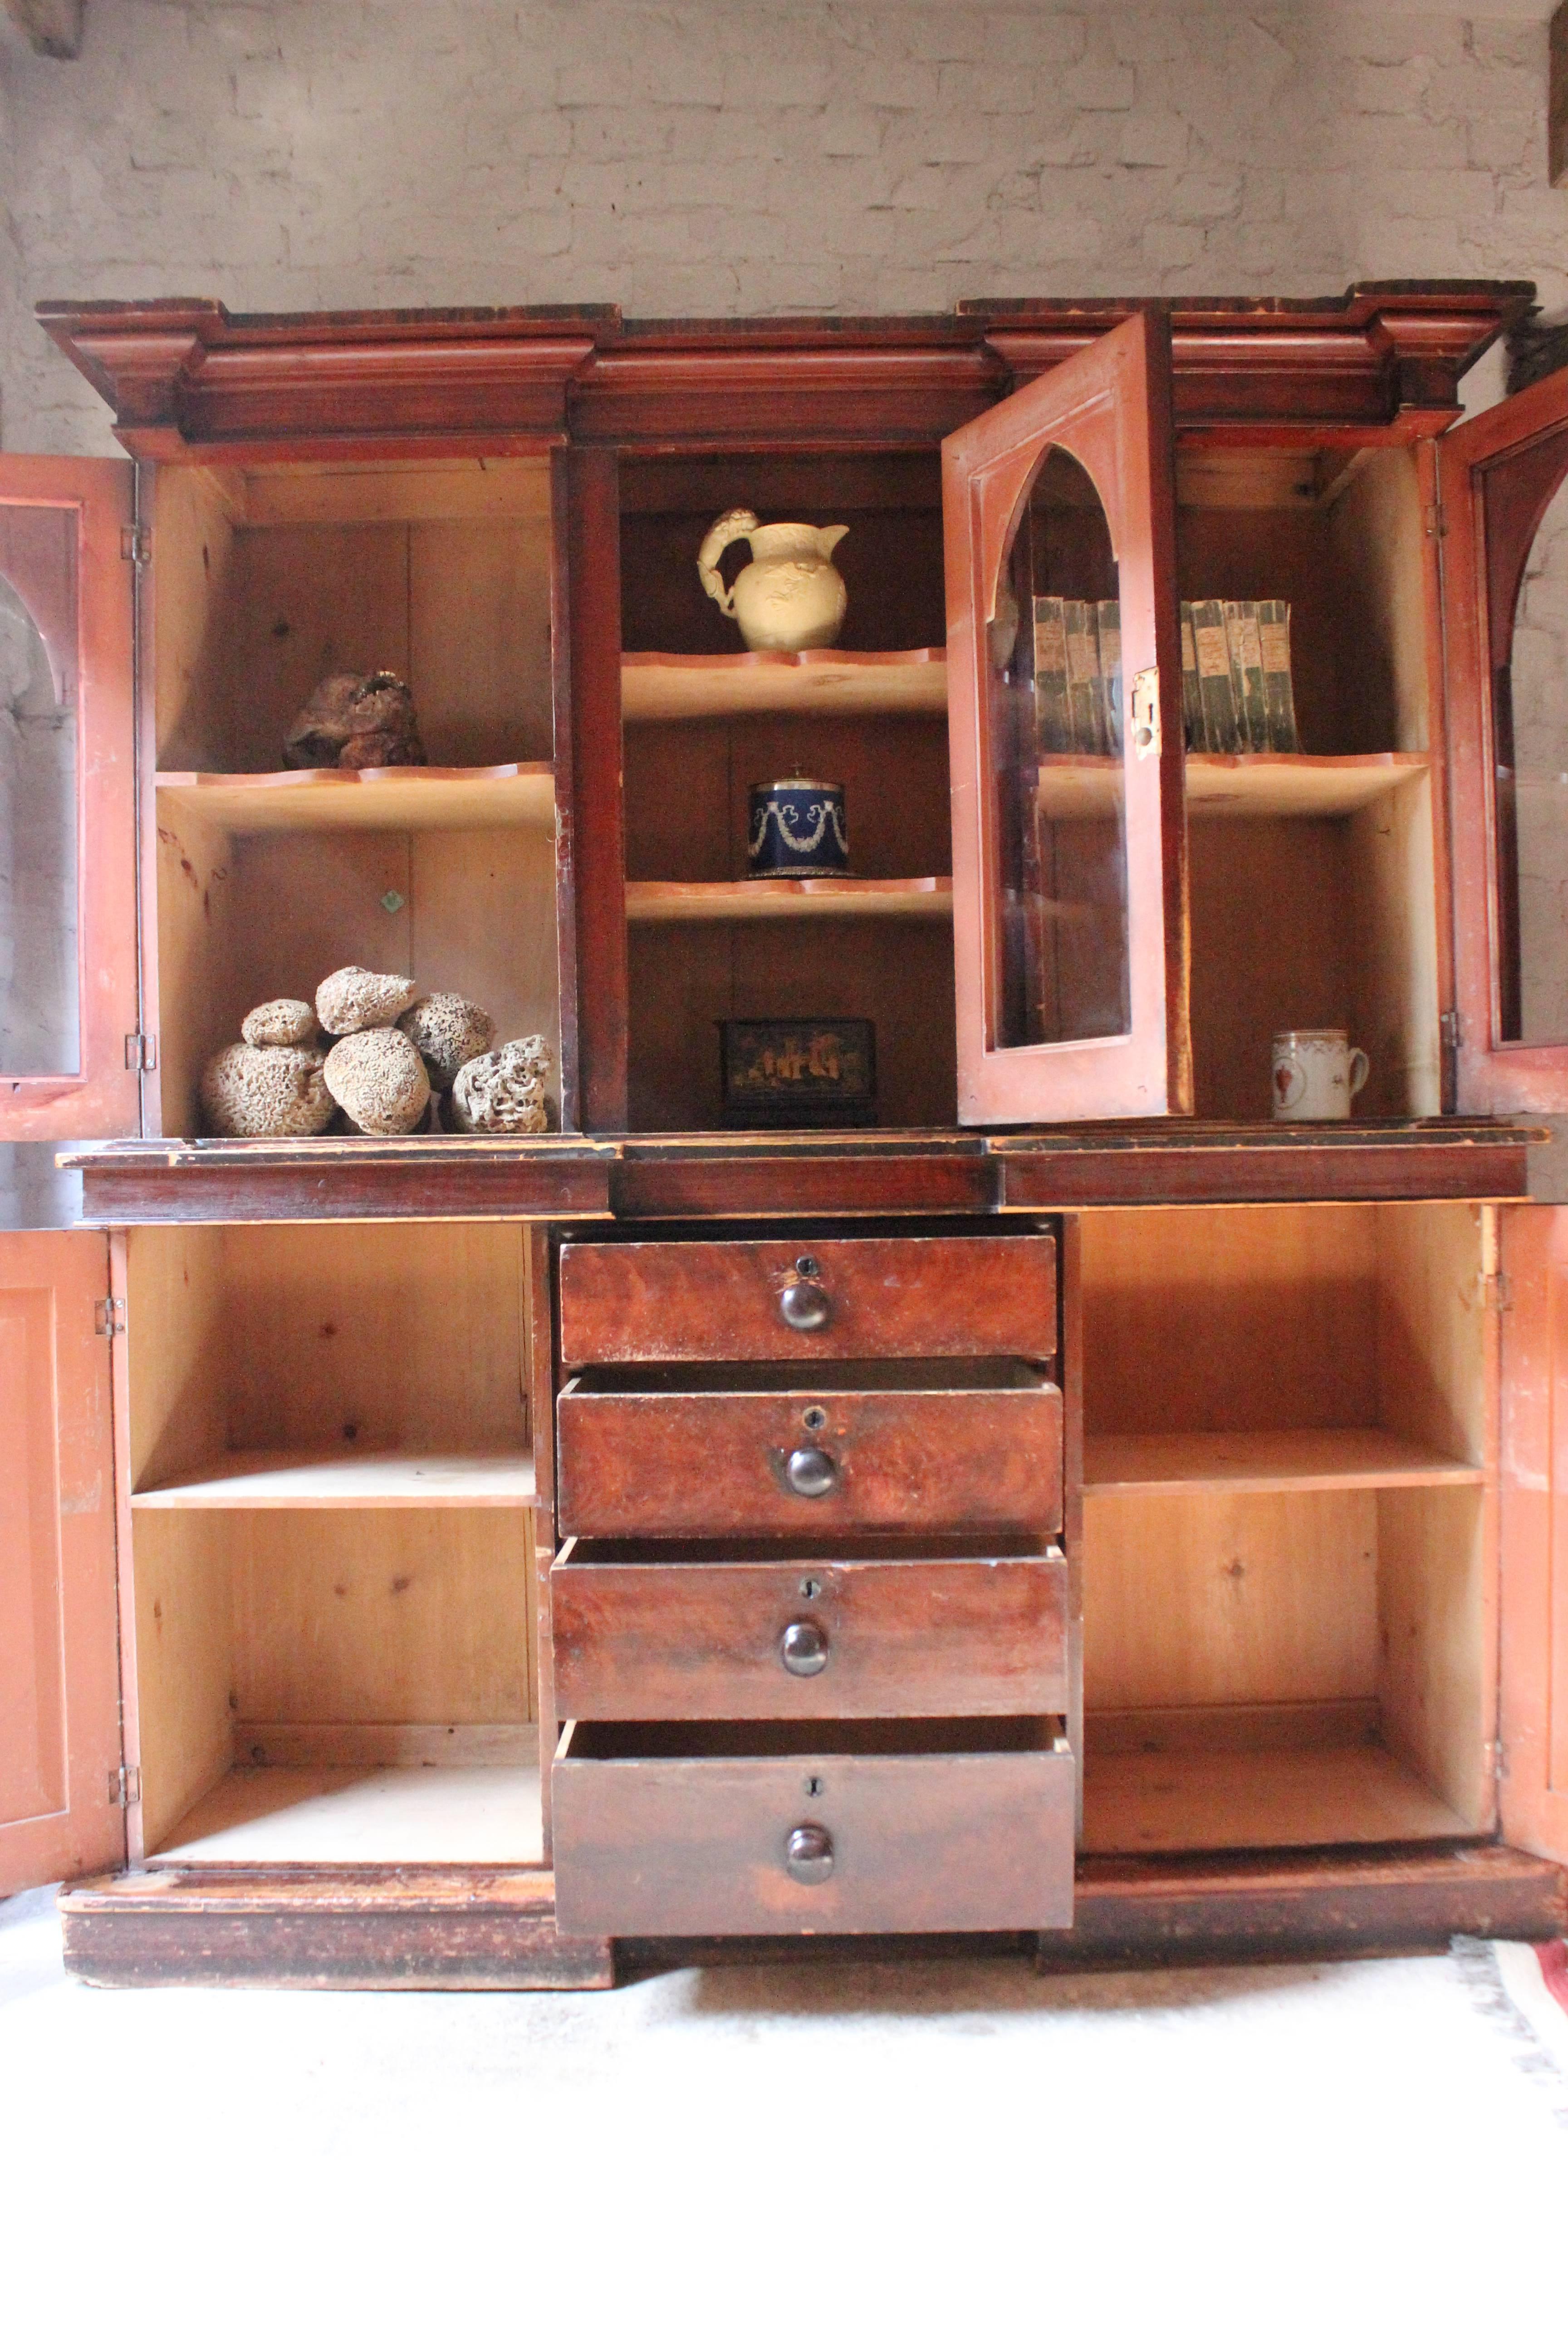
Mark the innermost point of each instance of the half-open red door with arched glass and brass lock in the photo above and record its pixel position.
(1068, 869)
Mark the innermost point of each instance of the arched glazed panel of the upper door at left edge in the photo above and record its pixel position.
(39, 881)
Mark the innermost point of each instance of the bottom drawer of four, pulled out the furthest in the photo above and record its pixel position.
(688, 1831)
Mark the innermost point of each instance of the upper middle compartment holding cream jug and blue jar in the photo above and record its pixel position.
(840, 935)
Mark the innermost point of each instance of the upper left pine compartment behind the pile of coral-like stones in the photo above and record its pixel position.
(272, 580)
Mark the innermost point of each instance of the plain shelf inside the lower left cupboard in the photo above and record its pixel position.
(307, 1478)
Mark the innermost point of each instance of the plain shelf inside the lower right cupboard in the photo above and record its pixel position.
(1266, 1462)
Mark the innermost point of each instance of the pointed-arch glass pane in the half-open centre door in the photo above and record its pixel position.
(1061, 803)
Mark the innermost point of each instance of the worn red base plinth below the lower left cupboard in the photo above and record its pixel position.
(410, 1930)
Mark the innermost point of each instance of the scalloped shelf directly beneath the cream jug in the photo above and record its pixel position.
(822, 681)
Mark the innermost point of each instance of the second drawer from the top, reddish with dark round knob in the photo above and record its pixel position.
(732, 1457)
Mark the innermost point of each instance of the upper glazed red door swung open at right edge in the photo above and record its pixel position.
(1506, 632)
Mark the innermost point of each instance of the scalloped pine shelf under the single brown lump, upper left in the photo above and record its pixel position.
(370, 801)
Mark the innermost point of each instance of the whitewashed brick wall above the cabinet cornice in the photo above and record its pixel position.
(744, 156)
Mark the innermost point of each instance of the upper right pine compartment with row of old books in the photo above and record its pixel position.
(1313, 869)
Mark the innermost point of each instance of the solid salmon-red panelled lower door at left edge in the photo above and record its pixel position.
(60, 1655)
